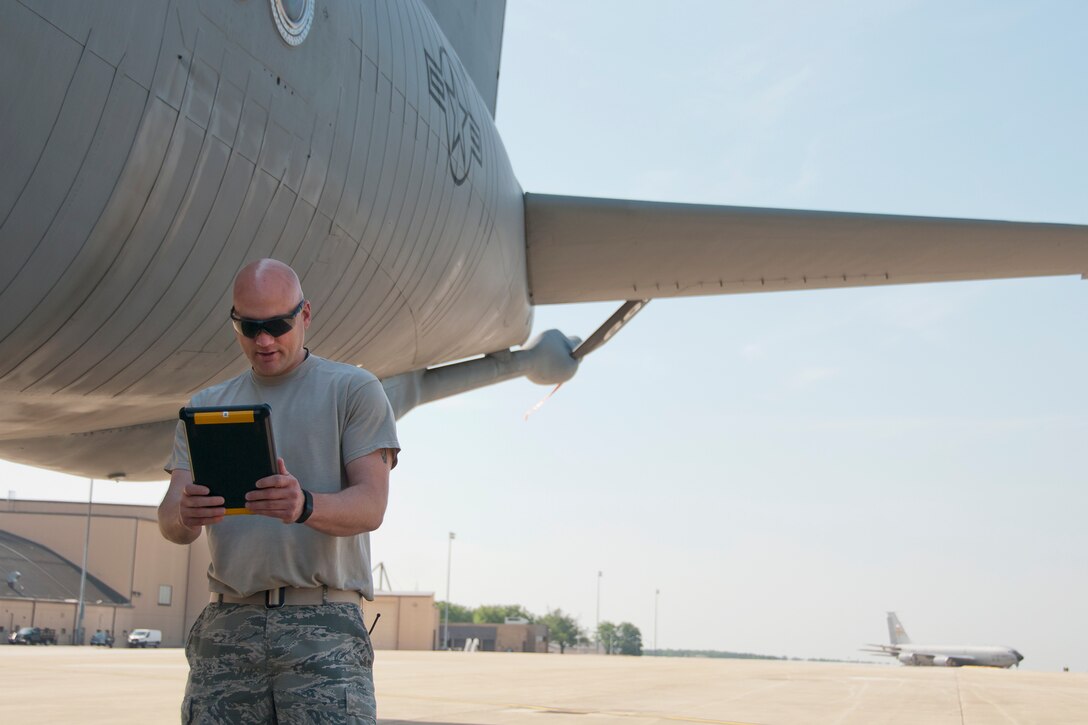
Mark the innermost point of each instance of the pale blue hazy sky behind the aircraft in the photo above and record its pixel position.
(773, 473)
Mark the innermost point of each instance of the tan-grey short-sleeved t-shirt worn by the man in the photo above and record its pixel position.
(325, 415)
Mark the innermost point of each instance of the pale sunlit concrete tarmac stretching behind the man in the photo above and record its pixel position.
(91, 685)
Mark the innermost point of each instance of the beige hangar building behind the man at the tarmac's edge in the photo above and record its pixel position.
(138, 580)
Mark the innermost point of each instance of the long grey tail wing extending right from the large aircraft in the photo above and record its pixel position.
(588, 250)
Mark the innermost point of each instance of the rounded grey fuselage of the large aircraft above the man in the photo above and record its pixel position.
(153, 149)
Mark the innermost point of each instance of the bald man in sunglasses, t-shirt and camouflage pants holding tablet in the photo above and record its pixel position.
(283, 638)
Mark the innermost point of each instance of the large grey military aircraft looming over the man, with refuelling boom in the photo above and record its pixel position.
(152, 150)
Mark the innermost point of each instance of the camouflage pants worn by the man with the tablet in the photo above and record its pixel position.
(293, 665)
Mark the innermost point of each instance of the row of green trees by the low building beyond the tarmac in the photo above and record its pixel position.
(564, 630)
